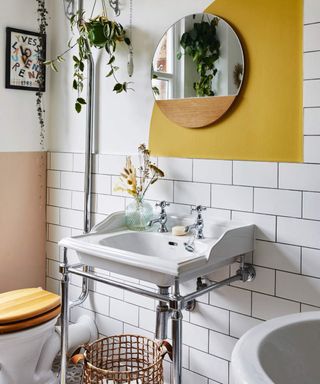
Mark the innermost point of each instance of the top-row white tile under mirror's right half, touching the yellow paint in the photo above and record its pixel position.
(212, 171)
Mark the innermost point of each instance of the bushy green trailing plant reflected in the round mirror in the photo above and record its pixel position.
(203, 45)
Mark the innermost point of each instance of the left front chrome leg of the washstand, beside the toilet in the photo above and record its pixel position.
(64, 317)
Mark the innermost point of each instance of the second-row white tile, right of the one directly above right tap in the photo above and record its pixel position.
(231, 197)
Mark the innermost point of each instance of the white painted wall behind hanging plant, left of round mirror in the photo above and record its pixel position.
(122, 120)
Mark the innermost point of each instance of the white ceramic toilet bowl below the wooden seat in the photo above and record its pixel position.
(21, 355)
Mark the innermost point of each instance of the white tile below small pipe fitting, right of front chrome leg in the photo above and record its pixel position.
(207, 316)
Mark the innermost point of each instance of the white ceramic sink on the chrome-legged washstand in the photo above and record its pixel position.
(160, 257)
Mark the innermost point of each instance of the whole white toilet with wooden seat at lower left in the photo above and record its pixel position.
(27, 326)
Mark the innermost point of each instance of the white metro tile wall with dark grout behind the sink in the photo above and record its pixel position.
(283, 200)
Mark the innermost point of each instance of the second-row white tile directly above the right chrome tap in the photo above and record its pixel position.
(192, 193)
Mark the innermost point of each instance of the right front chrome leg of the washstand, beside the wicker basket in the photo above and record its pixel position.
(176, 318)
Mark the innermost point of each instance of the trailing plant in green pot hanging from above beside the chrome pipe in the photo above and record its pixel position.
(101, 33)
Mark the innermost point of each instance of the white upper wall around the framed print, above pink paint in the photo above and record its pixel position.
(19, 128)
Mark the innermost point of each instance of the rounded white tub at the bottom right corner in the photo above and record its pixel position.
(285, 350)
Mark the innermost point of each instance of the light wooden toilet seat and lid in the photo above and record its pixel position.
(26, 308)
